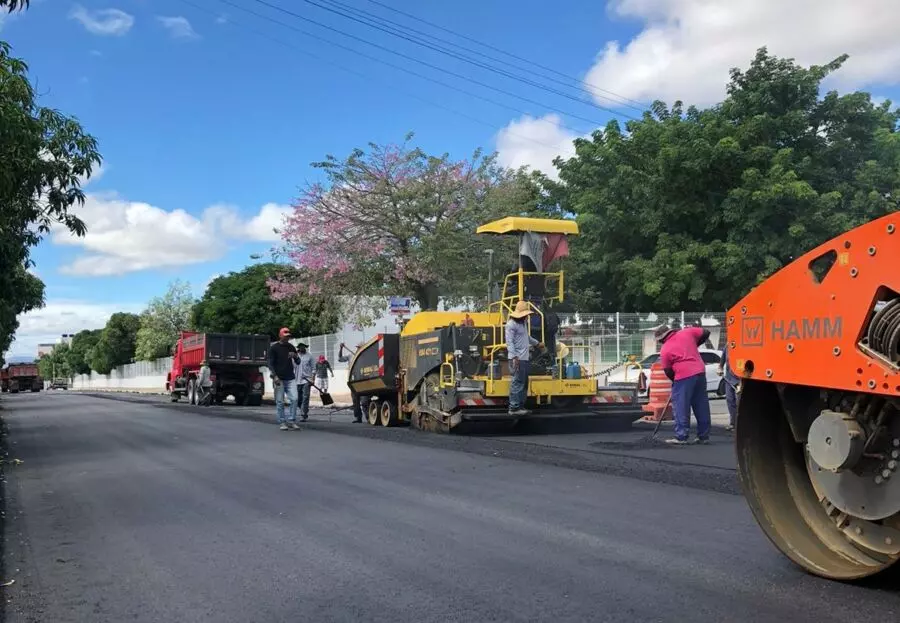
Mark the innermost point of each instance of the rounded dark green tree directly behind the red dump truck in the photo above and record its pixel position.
(240, 302)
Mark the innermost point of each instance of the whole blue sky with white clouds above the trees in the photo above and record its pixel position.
(207, 128)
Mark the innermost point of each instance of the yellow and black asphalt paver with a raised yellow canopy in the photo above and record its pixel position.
(448, 368)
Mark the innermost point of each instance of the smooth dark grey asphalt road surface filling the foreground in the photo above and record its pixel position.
(134, 511)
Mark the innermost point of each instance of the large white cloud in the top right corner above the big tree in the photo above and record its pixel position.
(687, 46)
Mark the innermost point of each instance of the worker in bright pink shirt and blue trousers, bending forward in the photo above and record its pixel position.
(681, 361)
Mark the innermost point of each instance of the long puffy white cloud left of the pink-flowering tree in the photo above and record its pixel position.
(127, 236)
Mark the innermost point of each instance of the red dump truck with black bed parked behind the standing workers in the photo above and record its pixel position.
(234, 362)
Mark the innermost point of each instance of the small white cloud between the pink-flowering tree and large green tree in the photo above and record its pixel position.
(534, 142)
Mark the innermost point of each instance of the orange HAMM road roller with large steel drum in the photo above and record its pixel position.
(817, 348)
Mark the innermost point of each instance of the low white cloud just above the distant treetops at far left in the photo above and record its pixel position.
(43, 326)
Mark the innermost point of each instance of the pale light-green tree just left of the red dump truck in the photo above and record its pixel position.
(165, 317)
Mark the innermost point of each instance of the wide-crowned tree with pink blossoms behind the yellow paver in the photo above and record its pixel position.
(393, 220)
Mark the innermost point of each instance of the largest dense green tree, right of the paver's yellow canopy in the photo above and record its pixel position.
(691, 209)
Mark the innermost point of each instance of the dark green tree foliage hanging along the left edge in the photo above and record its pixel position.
(44, 157)
